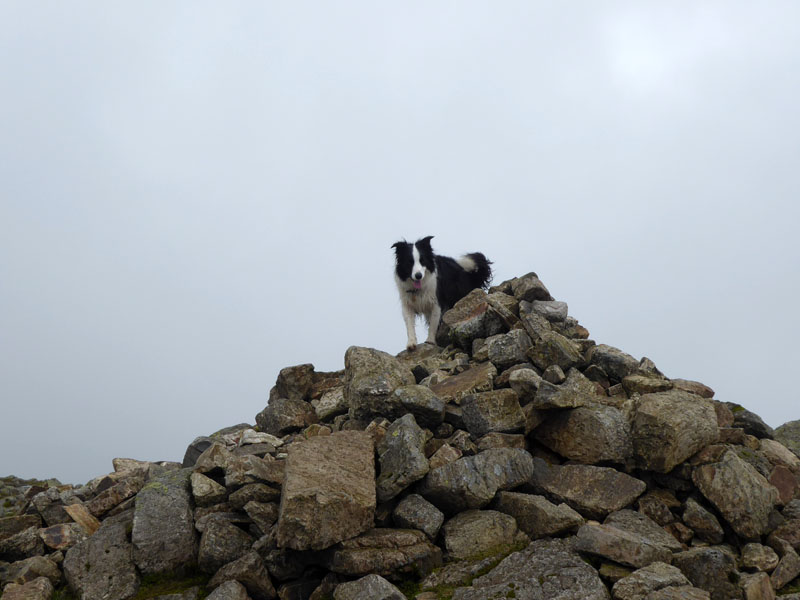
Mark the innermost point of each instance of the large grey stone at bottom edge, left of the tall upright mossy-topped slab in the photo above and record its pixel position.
(101, 567)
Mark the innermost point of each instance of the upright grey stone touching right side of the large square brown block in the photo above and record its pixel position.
(401, 454)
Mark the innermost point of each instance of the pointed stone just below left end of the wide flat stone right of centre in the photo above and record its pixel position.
(536, 516)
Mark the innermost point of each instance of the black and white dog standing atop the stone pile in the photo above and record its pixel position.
(429, 284)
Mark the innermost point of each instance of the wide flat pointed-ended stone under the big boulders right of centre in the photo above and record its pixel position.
(592, 491)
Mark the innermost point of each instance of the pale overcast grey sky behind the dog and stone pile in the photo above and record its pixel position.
(194, 195)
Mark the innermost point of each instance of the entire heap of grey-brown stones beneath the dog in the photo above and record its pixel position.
(516, 459)
